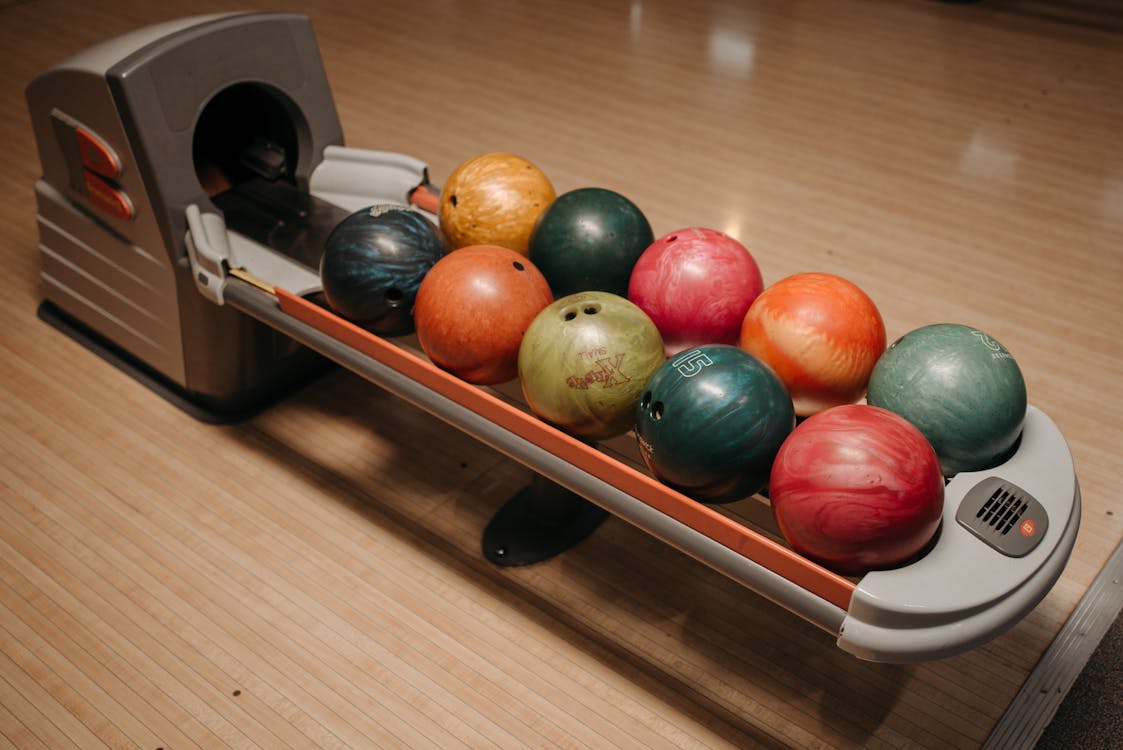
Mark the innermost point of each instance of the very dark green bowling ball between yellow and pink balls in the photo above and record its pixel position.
(589, 240)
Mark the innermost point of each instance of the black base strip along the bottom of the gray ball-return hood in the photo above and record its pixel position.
(200, 409)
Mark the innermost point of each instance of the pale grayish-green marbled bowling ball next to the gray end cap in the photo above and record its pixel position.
(961, 388)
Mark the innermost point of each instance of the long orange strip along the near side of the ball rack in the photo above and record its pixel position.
(705, 520)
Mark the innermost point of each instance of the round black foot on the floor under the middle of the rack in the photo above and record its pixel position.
(538, 524)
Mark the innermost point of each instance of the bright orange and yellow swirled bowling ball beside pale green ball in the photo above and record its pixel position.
(821, 334)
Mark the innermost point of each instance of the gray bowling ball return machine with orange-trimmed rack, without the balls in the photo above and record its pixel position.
(191, 172)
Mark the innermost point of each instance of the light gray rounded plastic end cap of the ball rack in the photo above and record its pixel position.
(964, 592)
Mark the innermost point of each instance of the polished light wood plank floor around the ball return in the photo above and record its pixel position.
(312, 578)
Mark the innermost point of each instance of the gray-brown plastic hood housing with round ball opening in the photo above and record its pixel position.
(144, 96)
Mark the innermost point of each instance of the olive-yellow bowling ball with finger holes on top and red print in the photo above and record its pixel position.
(585, 362)
